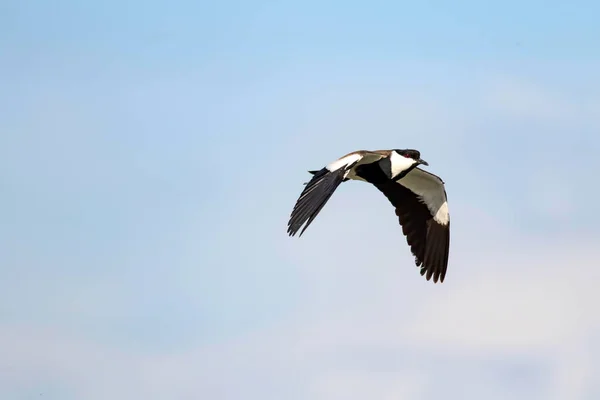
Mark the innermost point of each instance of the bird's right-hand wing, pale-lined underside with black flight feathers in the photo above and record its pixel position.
(422, 210)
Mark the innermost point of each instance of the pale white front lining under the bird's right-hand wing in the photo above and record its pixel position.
(431, 191)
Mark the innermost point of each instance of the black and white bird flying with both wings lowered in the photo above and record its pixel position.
(418, 196)
